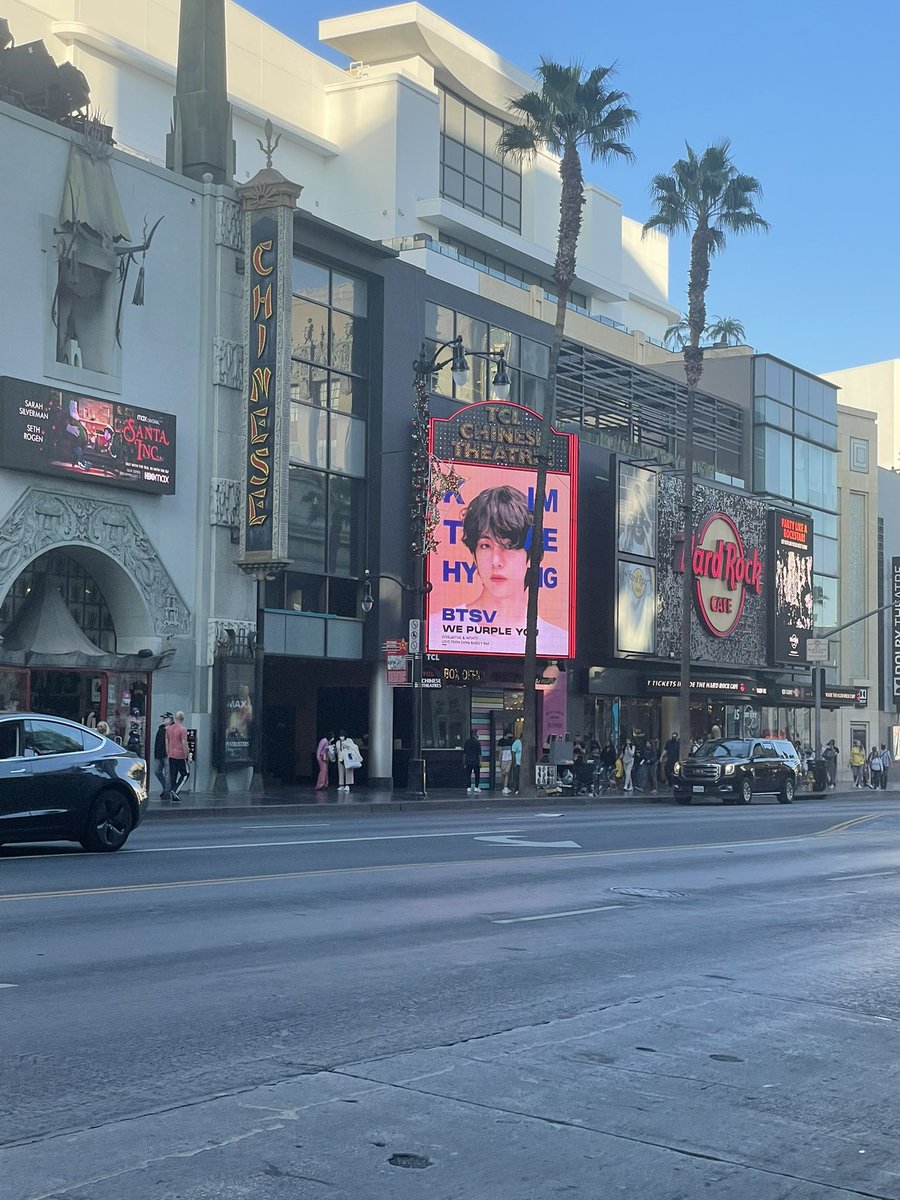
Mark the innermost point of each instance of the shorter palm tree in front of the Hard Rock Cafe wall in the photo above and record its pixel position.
(706, 197)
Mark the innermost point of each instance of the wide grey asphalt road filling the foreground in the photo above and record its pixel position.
(652, 1004)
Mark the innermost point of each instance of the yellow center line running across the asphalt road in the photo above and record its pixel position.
(229, 880)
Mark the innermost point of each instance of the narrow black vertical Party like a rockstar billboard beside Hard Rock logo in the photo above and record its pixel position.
(791, 601)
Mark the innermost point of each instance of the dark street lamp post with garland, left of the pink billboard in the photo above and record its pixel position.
(424, 511)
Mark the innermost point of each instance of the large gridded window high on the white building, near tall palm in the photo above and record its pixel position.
(472, 171)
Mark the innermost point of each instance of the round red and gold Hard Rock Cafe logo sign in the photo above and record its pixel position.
(723, 574)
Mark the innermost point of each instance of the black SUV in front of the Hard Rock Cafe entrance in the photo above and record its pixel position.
(736, 770)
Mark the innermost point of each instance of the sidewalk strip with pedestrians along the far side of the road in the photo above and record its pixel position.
(304, 801)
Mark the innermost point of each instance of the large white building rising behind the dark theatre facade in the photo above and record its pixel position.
(398, 146)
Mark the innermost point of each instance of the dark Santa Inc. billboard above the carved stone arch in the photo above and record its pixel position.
(56, 433)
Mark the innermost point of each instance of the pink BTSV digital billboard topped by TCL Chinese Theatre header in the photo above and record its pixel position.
(477, 572)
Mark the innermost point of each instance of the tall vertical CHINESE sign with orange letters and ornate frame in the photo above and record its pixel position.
(269, 202)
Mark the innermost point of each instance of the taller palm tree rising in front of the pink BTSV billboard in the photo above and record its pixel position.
(574, 112)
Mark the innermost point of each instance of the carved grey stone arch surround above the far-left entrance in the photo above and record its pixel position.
(43, 521)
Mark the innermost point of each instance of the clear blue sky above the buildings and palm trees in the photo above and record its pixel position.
(809, 94)
